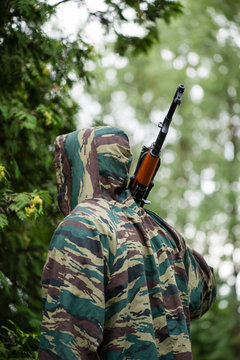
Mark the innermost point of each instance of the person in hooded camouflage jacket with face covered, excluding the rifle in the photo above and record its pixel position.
(119, 282)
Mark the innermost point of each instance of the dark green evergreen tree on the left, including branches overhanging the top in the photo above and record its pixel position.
(37, 74)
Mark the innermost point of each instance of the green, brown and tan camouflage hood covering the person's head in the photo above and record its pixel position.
(91, 163)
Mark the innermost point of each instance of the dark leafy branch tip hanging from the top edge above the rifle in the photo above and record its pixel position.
(141, 13)
